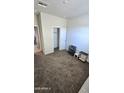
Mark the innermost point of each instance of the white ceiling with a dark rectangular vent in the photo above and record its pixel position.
(70, 9)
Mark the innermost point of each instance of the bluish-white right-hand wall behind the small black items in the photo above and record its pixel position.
(78, 33)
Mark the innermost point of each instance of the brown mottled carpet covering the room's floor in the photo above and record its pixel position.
(59, 73)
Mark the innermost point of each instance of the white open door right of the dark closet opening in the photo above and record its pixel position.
(62, 44)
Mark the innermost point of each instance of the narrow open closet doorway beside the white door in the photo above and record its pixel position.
(56, 38)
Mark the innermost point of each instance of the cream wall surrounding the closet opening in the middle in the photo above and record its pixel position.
(49, 22)
